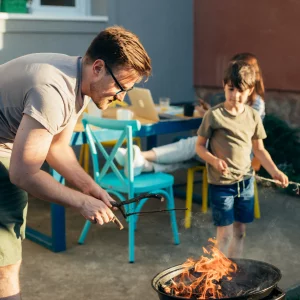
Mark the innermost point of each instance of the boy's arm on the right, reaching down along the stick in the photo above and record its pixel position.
(264, 157)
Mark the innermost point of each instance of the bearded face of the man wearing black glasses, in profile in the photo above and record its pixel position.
(103, 88)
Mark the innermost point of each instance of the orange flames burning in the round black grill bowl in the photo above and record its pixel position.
(202, 278)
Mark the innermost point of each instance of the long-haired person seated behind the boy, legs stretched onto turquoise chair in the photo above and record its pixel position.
(182, 154)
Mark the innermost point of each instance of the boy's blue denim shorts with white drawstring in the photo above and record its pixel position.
(232, 203)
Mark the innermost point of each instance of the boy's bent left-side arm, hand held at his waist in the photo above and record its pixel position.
(201, 150)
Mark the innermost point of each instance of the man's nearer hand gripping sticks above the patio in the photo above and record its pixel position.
(96, 211)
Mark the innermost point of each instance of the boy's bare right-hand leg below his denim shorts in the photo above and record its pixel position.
(237, 242)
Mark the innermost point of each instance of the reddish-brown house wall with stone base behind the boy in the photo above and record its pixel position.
(267, 28)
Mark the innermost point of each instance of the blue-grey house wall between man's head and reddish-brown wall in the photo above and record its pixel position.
(166, 30)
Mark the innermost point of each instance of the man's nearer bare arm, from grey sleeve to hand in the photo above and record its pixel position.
(31, 147)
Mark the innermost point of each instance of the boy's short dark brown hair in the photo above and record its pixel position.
(240, 74)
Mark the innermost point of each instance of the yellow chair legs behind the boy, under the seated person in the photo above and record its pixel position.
(189, 194)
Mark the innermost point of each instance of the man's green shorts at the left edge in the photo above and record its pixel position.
(13, 210)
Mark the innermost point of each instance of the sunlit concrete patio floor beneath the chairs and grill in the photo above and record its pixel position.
(100, 269)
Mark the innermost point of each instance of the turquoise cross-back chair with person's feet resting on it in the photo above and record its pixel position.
(113, 180)
